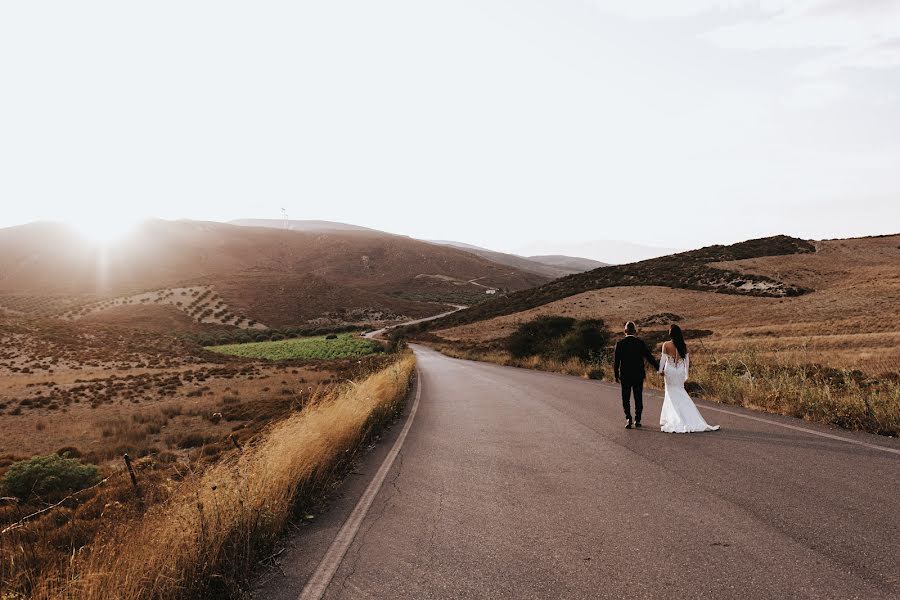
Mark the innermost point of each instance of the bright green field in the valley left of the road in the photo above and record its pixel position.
(344, 346)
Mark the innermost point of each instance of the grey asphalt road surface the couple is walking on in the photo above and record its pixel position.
(520, 484)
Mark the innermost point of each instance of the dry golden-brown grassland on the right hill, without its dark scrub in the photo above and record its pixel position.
(846, 317)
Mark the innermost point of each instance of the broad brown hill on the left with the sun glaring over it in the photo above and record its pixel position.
(265, 275)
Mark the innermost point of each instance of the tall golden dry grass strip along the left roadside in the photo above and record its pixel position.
(205, 540)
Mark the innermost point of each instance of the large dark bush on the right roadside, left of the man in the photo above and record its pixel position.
(560, 338)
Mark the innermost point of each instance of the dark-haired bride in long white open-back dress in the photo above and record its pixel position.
(679, 414)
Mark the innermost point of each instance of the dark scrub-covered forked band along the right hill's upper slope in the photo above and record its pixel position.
(694, 270)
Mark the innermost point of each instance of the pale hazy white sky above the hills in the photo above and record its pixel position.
(669, 122)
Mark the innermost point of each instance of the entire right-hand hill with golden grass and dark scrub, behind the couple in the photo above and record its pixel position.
(831, 302)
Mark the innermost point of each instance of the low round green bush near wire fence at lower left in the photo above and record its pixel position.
(49, 475)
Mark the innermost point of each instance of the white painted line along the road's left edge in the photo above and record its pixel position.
(321, 579)
